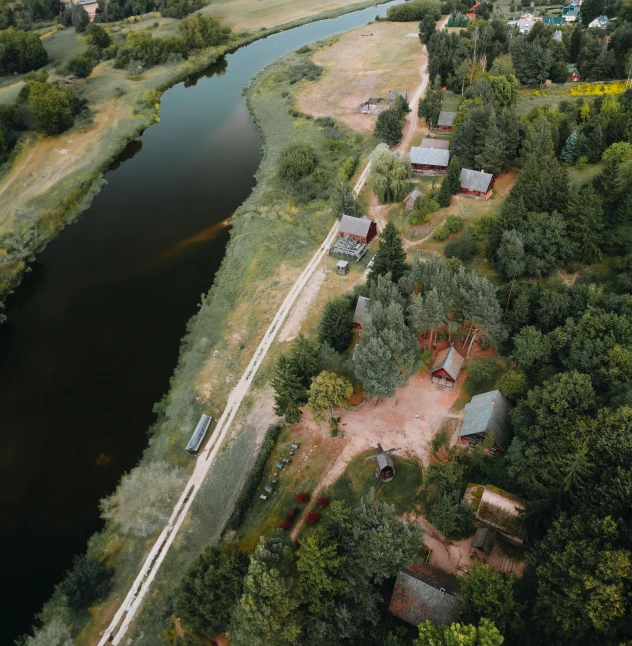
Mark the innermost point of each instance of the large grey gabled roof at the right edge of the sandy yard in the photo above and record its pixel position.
(488, 413)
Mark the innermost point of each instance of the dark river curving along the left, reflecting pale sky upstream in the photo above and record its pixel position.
(93, 332)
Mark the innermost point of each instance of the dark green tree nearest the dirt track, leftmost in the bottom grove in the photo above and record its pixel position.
(209, 590)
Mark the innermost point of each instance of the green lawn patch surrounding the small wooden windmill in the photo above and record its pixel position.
(359, 480)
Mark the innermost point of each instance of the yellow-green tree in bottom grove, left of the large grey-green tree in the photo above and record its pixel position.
(318, 566)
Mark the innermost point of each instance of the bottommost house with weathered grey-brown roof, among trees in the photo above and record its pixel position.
(423, 592)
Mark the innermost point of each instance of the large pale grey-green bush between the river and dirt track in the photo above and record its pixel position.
(144, 498)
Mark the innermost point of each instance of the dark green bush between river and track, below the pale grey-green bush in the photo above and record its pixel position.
(88, 581)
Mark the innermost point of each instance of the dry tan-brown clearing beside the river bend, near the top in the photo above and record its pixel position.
(359, 67)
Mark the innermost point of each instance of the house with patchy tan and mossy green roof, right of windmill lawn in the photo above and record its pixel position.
(498, 510)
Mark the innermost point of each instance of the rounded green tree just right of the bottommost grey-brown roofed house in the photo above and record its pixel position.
(488, 593)
